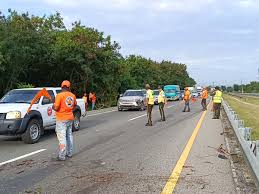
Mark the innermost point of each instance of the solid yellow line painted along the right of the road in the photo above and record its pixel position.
(172, 181)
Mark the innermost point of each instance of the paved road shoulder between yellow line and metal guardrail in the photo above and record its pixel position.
(205, 171)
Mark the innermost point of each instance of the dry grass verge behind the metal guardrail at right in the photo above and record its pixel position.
(248, 113)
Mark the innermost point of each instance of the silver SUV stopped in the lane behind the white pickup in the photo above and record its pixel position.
(132, 99)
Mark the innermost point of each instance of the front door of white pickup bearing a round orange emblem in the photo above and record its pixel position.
(48, 114)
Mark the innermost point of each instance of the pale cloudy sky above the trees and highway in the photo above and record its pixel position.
(217, 39)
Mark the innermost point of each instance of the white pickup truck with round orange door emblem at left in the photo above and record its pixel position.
(14, 119)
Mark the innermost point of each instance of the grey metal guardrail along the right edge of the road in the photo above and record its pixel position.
(250, 148)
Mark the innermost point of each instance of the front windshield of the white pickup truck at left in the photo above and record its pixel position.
(19, 96)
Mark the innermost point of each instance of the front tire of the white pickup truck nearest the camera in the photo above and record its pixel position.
(33, 132)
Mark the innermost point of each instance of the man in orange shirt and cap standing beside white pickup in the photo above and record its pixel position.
(64, 105)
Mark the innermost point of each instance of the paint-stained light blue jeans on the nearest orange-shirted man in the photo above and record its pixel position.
(65, 138)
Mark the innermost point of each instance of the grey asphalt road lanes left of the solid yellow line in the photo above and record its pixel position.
(114, 153)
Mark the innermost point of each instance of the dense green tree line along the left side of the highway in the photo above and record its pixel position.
(41, 51)
